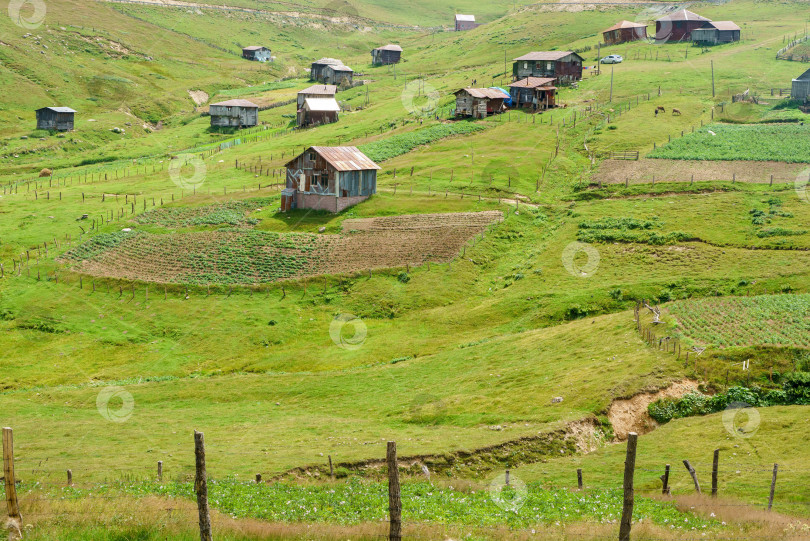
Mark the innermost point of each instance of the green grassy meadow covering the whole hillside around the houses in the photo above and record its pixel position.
(463, 362)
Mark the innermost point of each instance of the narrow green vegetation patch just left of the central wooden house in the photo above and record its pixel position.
(230, 213)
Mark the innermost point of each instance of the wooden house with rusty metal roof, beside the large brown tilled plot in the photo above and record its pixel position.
(329, 178)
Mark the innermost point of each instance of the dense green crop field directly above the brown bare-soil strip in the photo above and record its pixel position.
(757, 142)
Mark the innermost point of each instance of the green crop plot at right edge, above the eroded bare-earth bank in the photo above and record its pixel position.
(778, 320)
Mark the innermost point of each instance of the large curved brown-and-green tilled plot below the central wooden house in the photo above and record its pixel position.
(233, 256)
